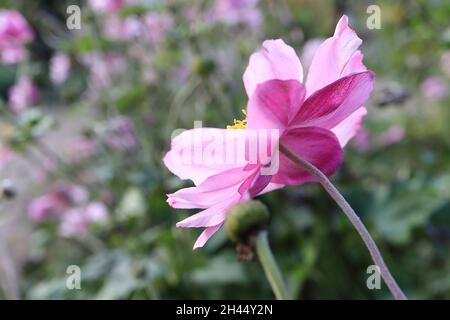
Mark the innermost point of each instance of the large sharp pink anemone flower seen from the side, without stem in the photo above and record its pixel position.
(314, 120)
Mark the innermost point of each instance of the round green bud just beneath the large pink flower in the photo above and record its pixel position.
(246, 219)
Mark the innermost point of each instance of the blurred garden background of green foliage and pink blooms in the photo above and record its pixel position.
(87, 114)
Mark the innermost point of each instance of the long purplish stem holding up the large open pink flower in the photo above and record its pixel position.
(354, 219)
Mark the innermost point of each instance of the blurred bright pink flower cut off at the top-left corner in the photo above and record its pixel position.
(14, 33)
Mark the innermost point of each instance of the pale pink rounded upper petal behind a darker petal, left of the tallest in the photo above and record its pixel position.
(276, 60)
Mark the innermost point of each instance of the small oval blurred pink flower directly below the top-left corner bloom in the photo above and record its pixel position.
(22, 95)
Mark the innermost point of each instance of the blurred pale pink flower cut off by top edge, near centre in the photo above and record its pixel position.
(234, 12)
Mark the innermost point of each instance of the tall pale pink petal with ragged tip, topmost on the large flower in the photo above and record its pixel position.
(335, 58)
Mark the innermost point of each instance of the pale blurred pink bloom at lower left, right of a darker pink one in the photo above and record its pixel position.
(75, 222)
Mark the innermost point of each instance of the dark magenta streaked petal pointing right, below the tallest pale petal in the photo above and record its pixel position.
(333, 104)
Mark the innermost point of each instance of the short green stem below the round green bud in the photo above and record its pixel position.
(270, 267)
